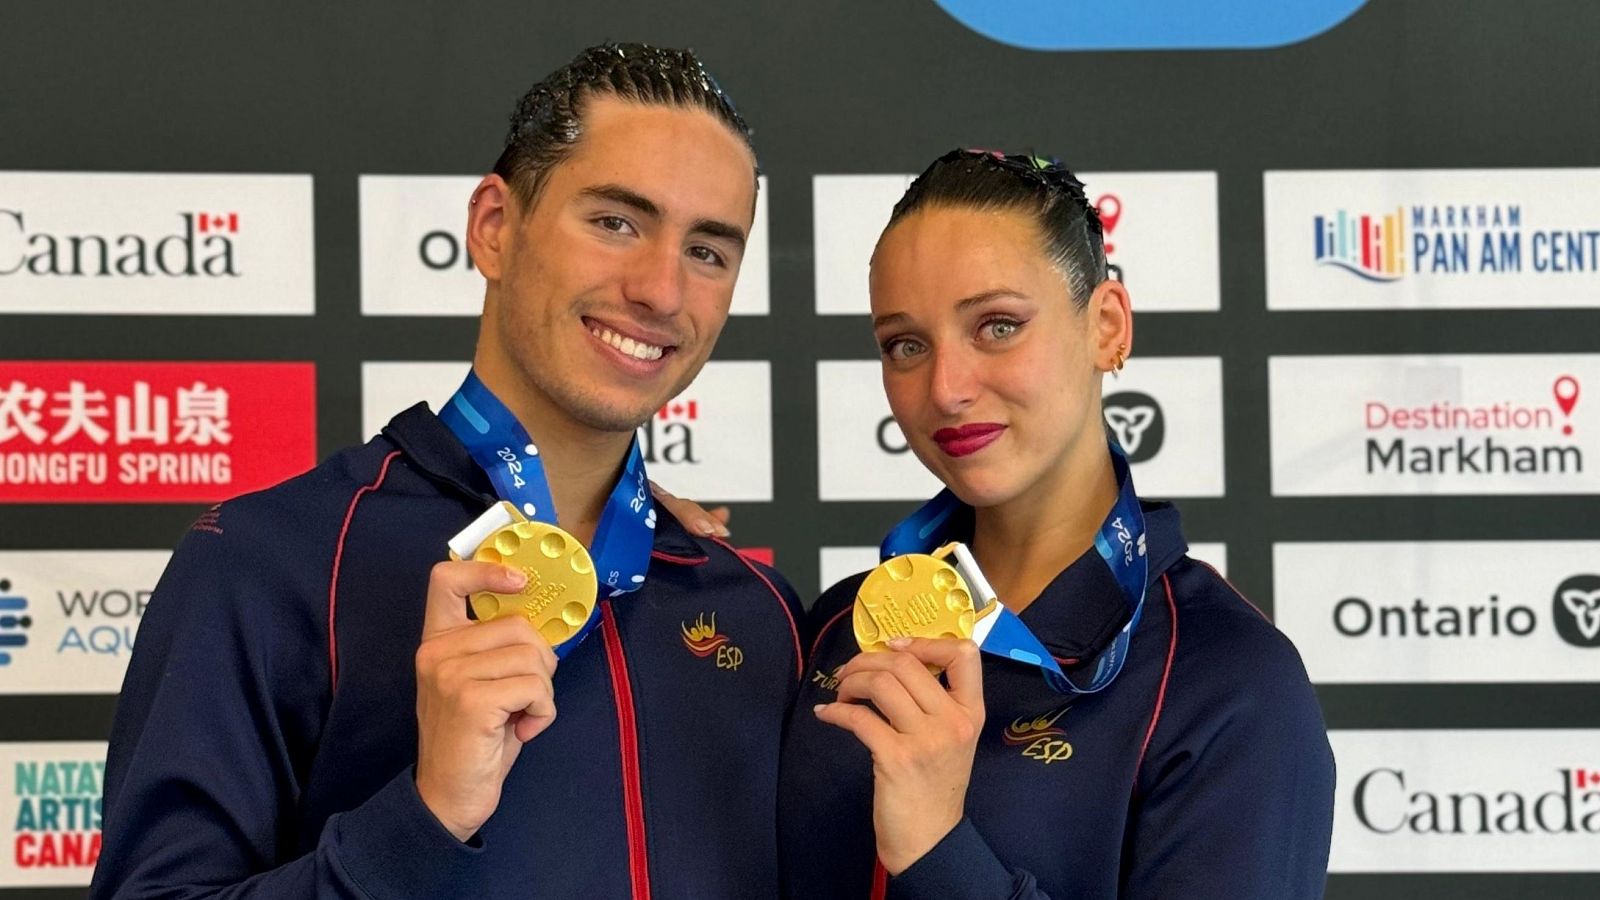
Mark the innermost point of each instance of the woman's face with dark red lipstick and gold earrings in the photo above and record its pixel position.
(991, 371)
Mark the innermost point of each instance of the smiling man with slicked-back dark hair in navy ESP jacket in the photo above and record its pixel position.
(297, 721)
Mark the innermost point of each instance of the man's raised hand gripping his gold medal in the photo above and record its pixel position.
(482, 691)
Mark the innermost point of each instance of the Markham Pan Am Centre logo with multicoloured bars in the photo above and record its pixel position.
(1470, 239)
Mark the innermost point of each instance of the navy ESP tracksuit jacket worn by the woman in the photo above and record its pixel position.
(1202, 773)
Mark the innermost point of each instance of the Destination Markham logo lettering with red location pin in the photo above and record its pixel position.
(1399, 438)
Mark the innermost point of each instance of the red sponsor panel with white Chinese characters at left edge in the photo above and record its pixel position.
(153, 432)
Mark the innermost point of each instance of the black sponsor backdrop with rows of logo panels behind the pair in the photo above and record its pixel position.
(1362, 239)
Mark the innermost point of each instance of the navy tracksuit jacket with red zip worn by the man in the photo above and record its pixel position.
(266, 737)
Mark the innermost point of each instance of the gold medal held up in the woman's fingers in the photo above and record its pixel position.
(914, 597)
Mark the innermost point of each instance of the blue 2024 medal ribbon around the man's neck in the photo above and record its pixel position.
(502, 448)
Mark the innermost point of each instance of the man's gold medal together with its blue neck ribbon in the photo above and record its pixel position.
(623, 540)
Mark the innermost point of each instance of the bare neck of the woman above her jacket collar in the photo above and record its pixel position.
(1023, 545)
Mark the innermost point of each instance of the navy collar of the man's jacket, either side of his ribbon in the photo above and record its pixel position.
(434, 451)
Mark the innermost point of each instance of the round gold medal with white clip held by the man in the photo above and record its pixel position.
(562, 589)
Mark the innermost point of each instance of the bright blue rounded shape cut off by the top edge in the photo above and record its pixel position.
(1150, 25)
